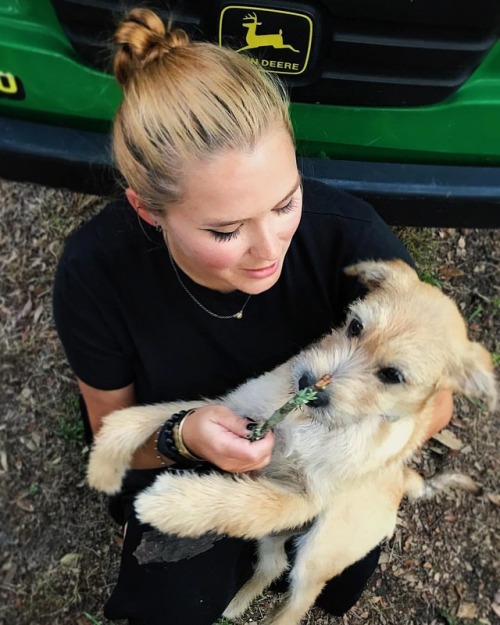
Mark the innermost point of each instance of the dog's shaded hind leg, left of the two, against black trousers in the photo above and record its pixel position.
(272, 561)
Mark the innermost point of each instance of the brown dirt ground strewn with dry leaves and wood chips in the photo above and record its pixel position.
(59, 551)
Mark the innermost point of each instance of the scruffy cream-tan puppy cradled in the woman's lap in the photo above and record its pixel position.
(339, 466)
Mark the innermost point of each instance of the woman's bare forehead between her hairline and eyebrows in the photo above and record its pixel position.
(236, 184)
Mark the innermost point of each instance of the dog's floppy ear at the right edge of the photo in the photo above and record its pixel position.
(474, 376)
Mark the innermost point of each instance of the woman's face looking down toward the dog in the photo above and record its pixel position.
(238, 216)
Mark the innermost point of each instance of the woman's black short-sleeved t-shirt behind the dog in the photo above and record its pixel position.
(124, 318)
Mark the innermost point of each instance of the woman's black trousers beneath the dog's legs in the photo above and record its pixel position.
(196, 590)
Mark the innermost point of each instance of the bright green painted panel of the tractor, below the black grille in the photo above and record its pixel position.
(42, 79)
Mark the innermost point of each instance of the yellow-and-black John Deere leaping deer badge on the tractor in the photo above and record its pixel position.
(280, 41)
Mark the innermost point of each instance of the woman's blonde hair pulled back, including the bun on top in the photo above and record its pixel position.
(184, 102)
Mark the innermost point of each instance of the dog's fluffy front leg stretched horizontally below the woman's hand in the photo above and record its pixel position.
(240, 506)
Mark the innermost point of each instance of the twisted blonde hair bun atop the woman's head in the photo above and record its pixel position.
(141, 38)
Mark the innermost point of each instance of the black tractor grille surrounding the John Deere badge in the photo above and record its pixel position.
(383, 53)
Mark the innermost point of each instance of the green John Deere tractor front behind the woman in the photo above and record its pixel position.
(397, 101)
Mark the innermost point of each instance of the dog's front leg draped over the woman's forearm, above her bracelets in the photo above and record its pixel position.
(122, 433)
